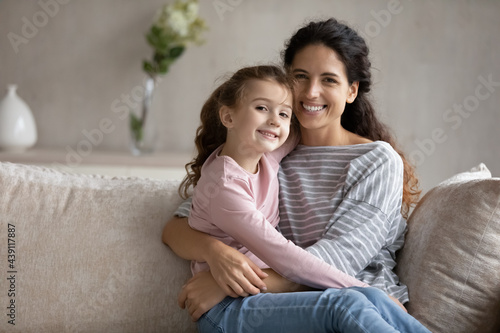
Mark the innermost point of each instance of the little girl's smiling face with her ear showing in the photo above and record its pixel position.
(260, 122)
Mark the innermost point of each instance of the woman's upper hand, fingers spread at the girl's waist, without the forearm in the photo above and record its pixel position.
(234, 272)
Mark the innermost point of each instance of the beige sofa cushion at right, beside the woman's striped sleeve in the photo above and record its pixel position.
(451, 258)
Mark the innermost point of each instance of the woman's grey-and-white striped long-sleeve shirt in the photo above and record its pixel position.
(343, 204)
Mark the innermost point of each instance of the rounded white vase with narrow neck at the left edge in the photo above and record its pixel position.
(17, 125)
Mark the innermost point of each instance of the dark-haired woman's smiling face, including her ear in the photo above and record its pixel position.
(321, 88)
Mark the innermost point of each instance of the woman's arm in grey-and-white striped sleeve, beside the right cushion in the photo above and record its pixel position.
(367, 224)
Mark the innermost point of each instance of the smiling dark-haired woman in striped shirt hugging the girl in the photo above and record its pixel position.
(343, 190)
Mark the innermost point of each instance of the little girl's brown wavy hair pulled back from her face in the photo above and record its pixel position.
(211, 133)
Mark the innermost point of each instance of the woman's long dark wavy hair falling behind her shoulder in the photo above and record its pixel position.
(359, 117)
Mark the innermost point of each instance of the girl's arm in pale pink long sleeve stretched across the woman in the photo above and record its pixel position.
(234, 212)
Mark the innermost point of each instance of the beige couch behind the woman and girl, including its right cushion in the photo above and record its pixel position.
(83, 253)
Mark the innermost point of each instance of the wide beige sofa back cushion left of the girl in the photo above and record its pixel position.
(88, 253)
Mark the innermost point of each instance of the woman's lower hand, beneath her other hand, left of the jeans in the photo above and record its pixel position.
(200, 294)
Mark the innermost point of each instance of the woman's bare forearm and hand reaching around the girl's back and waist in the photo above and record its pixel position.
(233, 271)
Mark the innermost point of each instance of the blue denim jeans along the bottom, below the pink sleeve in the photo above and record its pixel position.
(333, 310)
